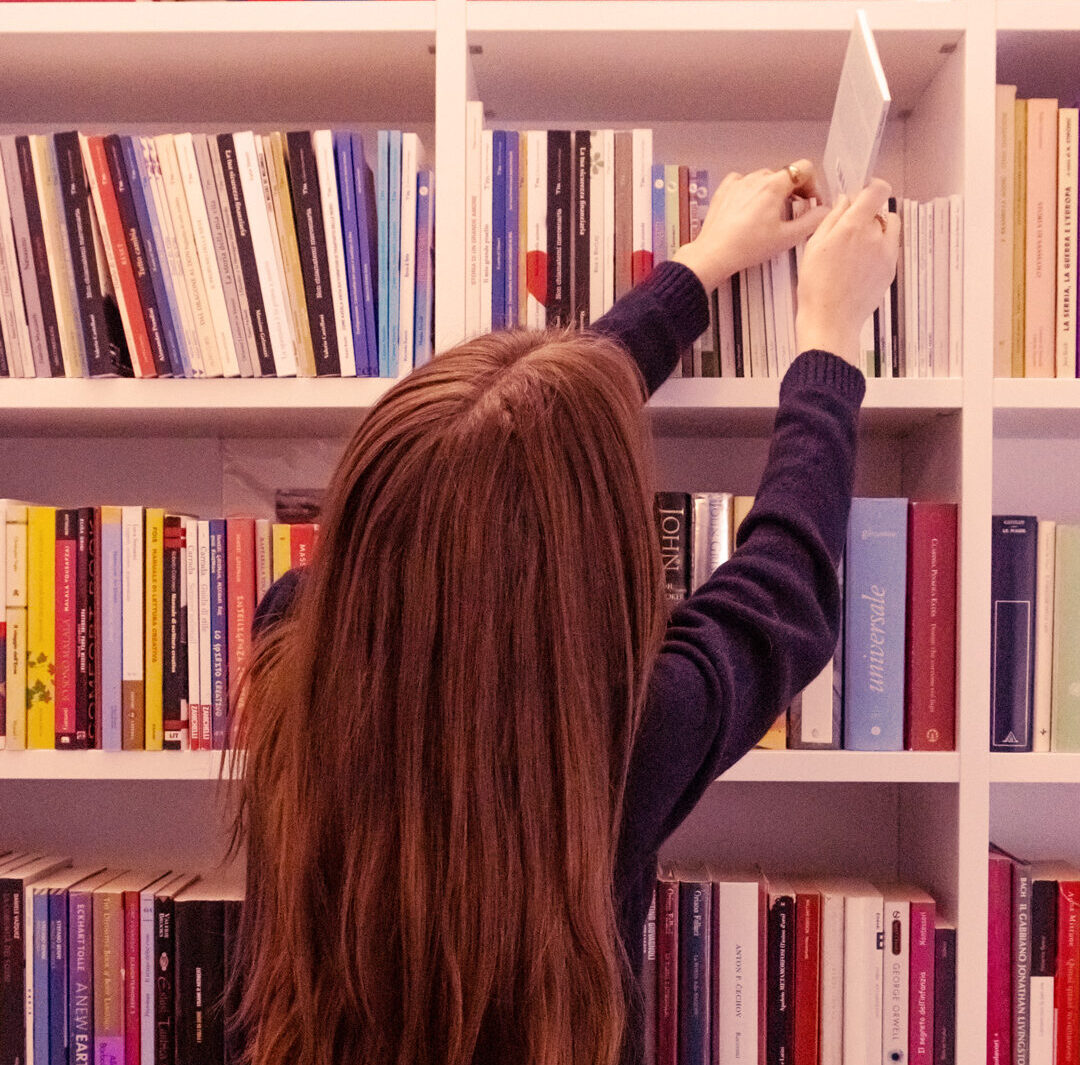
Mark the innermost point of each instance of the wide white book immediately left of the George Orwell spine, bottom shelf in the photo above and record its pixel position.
(862, 979)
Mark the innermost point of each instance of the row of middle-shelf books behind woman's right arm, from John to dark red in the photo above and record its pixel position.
(893, 683)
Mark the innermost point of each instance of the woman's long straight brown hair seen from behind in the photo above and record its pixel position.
(439, 734)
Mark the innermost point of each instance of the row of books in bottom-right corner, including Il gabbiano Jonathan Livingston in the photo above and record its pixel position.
(1033, 1001)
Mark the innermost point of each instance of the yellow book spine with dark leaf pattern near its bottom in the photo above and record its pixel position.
(42, 628)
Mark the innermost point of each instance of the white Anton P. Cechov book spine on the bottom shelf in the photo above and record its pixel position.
(737, 983)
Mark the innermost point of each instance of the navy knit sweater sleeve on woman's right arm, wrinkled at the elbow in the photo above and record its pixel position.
(765, 624)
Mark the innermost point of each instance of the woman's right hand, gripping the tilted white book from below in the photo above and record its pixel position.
(848, 264)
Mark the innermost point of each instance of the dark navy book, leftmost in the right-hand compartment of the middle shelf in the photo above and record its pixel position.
(1014, 557)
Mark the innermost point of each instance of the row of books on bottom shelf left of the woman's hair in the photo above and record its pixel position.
(106, 965)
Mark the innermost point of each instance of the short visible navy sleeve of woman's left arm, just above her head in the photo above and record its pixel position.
(658, 319)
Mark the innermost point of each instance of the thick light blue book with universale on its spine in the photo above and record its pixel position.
(876, 586)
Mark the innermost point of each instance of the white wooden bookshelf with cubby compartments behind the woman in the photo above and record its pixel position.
(732, 85)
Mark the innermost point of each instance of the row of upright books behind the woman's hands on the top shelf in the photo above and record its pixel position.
(563, 223)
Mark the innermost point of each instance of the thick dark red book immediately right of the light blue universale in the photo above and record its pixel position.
(930, 696)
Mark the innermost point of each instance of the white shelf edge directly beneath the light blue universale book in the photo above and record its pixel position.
(847, 767)
